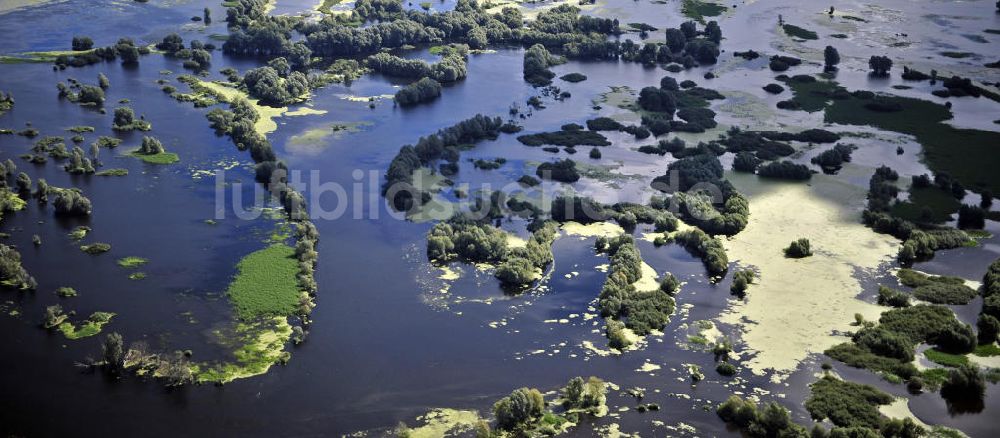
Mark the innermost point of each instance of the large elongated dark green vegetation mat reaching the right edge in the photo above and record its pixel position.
(966, 154)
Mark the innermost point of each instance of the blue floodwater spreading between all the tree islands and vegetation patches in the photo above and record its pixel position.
(386, 345)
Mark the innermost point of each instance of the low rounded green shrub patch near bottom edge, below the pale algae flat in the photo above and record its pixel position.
(846, 404)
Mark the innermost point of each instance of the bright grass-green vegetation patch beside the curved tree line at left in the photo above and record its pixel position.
(265, 283)
